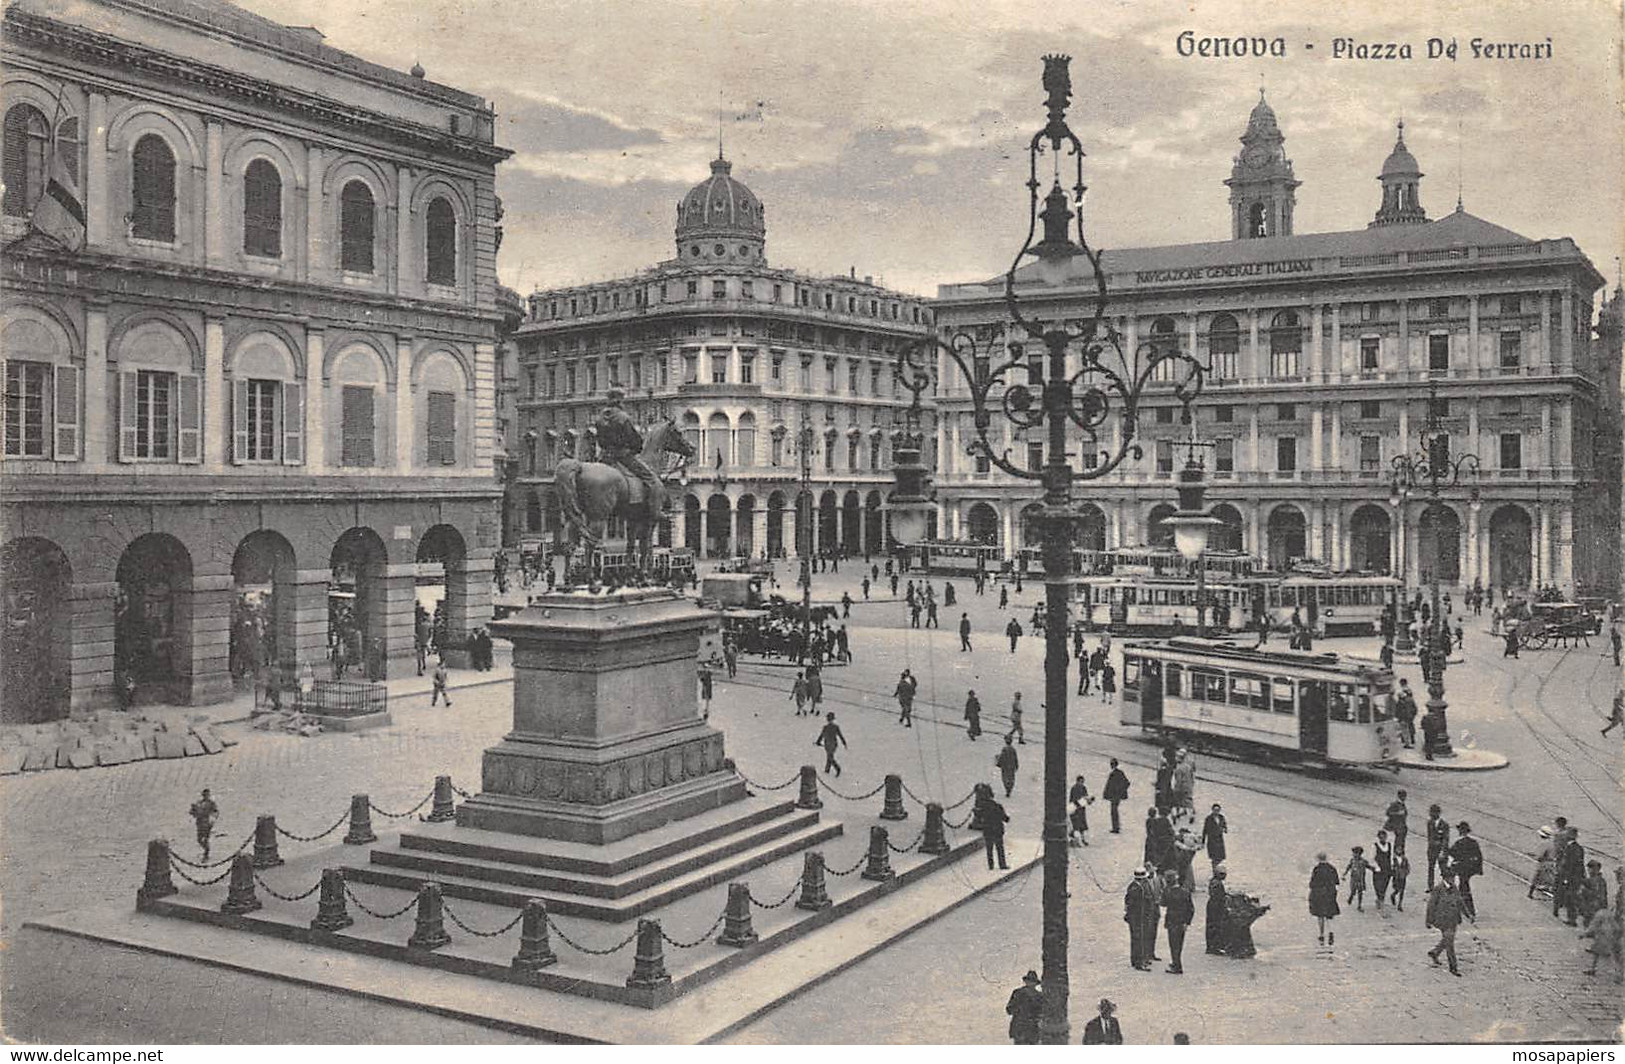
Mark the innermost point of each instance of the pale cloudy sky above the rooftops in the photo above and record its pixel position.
(890, 136)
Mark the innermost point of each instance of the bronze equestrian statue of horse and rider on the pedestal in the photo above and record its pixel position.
(623, 485)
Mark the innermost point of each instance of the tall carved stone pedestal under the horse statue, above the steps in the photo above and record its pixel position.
(607, 737)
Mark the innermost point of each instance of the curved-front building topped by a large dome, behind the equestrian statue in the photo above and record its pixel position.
(742, 357)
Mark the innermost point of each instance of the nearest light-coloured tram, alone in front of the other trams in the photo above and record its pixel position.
(1320, 707)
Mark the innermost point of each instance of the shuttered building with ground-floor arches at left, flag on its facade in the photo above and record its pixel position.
(264, 374)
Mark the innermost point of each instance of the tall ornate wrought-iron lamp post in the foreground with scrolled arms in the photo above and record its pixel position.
(1047, 396)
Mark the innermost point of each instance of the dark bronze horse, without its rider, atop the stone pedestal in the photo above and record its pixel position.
(594, 491)
